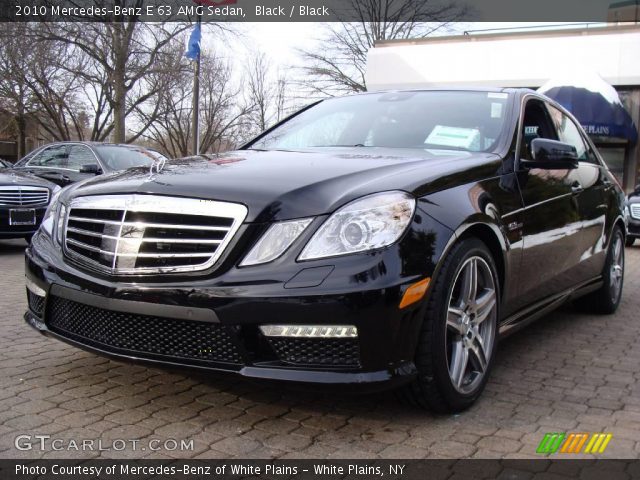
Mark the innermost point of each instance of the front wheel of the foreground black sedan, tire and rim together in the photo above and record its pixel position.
(448, 331)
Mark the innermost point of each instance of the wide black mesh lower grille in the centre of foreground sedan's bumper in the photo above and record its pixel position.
(142, 335)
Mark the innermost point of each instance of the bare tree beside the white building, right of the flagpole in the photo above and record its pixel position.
(338, 65)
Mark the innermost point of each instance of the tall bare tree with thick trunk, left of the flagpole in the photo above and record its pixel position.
(123, 66)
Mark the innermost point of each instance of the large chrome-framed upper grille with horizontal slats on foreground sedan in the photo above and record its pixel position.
(125, 234)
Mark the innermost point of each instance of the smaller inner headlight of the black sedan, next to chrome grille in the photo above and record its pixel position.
(275, 241)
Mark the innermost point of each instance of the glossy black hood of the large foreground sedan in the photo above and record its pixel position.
(279, 185)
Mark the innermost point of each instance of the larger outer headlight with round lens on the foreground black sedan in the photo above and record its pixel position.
(371, 222)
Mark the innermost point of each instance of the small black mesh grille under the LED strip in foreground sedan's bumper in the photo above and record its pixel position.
(336, 352)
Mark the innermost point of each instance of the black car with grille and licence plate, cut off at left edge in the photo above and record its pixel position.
(23, 202)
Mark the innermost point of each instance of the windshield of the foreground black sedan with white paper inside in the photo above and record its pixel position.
(450, 120)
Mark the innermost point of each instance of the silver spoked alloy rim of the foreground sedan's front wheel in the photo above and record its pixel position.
(471, 320)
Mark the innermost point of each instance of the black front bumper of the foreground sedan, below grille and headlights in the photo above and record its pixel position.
(214, 325)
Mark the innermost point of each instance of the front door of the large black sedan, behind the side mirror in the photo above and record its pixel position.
(551, 221)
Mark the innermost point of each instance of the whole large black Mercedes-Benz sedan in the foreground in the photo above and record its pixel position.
(381, 240)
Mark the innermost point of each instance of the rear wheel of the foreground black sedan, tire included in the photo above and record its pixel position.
(606, 299)
